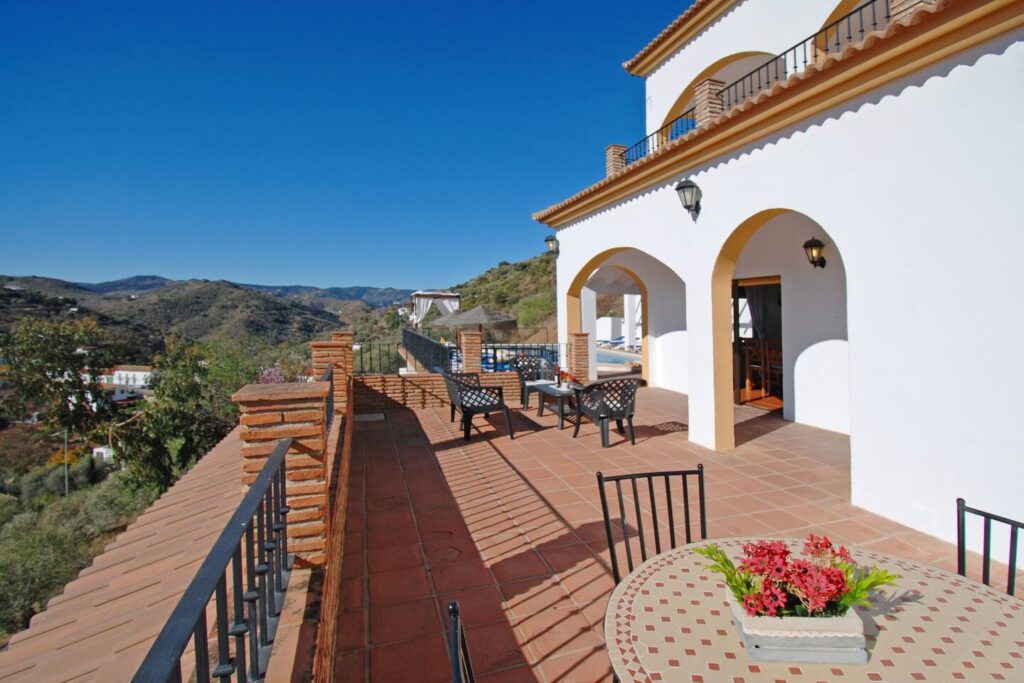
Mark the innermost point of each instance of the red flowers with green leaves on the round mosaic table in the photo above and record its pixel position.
(771, 582)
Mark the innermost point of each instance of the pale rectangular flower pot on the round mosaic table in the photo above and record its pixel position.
(803, 639)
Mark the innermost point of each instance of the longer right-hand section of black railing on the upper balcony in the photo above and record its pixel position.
(852, 28)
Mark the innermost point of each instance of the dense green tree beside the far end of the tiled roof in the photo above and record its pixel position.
(178, 425)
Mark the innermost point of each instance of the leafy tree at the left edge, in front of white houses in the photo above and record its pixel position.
(57, 366)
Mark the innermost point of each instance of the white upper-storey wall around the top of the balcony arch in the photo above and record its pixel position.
(762, 26)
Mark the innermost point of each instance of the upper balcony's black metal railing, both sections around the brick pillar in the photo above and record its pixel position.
(872, 16)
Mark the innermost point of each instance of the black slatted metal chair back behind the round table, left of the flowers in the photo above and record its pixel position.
(636, 494)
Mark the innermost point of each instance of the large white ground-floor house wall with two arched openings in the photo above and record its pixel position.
(917, 187)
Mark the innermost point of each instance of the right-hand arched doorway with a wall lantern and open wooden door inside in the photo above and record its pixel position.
(804, 360)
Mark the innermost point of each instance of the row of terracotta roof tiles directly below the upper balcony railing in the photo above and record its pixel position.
(922, 14)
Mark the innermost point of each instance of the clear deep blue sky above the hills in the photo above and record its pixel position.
(385, 144)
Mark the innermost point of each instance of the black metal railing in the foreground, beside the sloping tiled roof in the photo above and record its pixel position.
(253, 549)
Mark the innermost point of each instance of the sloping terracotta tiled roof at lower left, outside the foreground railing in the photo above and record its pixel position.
(103, 625)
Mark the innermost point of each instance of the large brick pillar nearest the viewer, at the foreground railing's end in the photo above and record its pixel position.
(298, 410)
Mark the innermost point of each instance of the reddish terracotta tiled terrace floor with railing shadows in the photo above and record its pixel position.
(513, 530)
